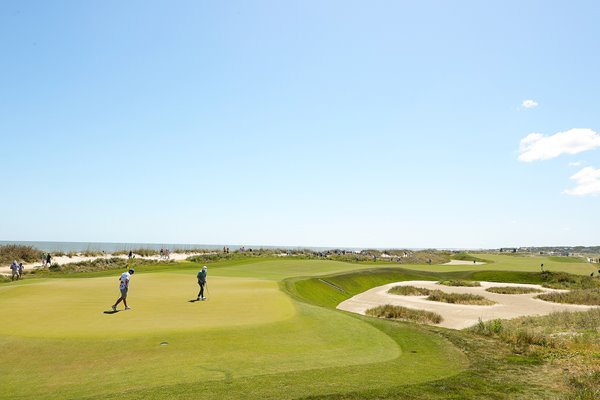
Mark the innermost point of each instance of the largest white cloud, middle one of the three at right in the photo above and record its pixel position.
(537, 146)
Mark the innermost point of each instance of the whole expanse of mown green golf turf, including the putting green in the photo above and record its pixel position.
(268, 331)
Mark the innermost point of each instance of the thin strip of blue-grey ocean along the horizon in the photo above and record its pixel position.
(67, 247)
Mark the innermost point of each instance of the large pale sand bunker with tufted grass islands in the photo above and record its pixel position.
(459, 316)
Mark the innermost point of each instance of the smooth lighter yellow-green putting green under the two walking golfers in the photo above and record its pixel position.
(160, 303)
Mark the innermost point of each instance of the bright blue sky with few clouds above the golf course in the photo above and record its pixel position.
(338, 123)
